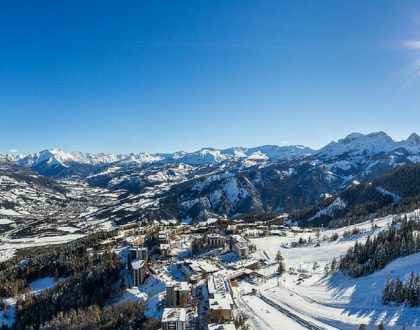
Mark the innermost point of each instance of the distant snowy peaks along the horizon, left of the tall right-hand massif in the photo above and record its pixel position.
(59, 164)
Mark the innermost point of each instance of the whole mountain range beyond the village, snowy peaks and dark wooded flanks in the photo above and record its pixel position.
(210, 182)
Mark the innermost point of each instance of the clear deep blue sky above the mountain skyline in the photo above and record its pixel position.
(130, 76)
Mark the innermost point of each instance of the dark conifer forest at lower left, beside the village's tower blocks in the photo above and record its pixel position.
(89, 280)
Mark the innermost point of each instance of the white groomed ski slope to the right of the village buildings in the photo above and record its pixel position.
(330, 301)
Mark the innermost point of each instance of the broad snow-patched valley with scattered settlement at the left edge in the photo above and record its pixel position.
(43, 210)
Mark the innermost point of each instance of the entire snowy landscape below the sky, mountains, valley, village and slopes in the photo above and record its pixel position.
(244, 238)
